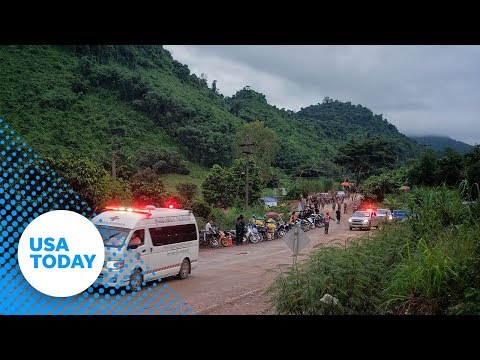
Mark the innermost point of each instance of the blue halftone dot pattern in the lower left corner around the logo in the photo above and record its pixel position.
(29, 188)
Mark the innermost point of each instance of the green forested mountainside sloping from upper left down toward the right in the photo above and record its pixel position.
(88, 101)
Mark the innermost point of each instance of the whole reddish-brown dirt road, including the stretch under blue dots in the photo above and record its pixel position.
(227, 281)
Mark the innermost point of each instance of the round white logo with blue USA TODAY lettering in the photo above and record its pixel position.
(61, 253)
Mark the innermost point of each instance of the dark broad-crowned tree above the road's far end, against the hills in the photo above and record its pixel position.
(366, 158)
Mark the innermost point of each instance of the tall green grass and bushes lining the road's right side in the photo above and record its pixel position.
(427, 265)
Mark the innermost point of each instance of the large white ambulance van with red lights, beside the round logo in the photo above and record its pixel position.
(147, 244)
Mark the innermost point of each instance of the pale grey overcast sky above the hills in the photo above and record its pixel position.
(422, 90)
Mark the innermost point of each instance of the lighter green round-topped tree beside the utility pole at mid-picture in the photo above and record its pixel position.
(262, 142)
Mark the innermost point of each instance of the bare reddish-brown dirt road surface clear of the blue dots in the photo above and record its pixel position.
(233, 280)
